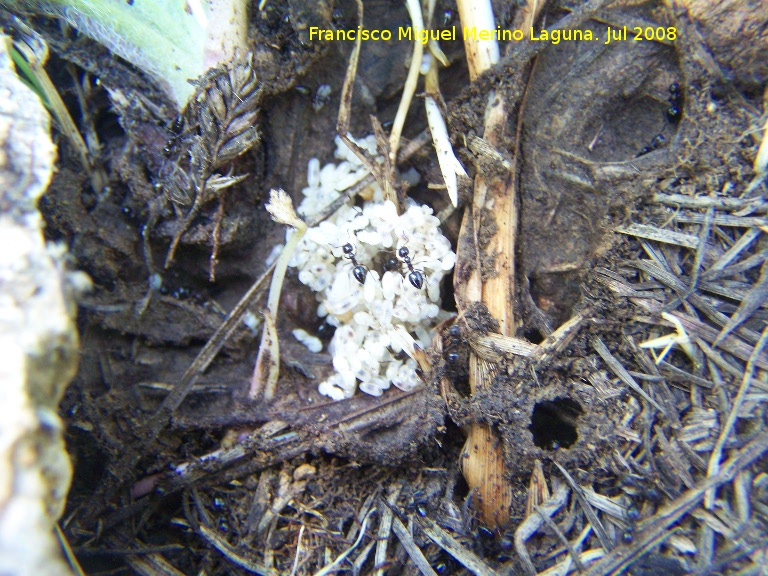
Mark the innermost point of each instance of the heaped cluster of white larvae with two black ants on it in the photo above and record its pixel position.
(366, 349)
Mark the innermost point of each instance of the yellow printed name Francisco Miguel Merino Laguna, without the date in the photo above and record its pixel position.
(423, 36)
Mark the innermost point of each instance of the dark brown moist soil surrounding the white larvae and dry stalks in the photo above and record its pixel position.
(587, 111)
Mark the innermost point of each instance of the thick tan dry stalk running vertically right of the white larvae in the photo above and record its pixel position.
(483, 464)
